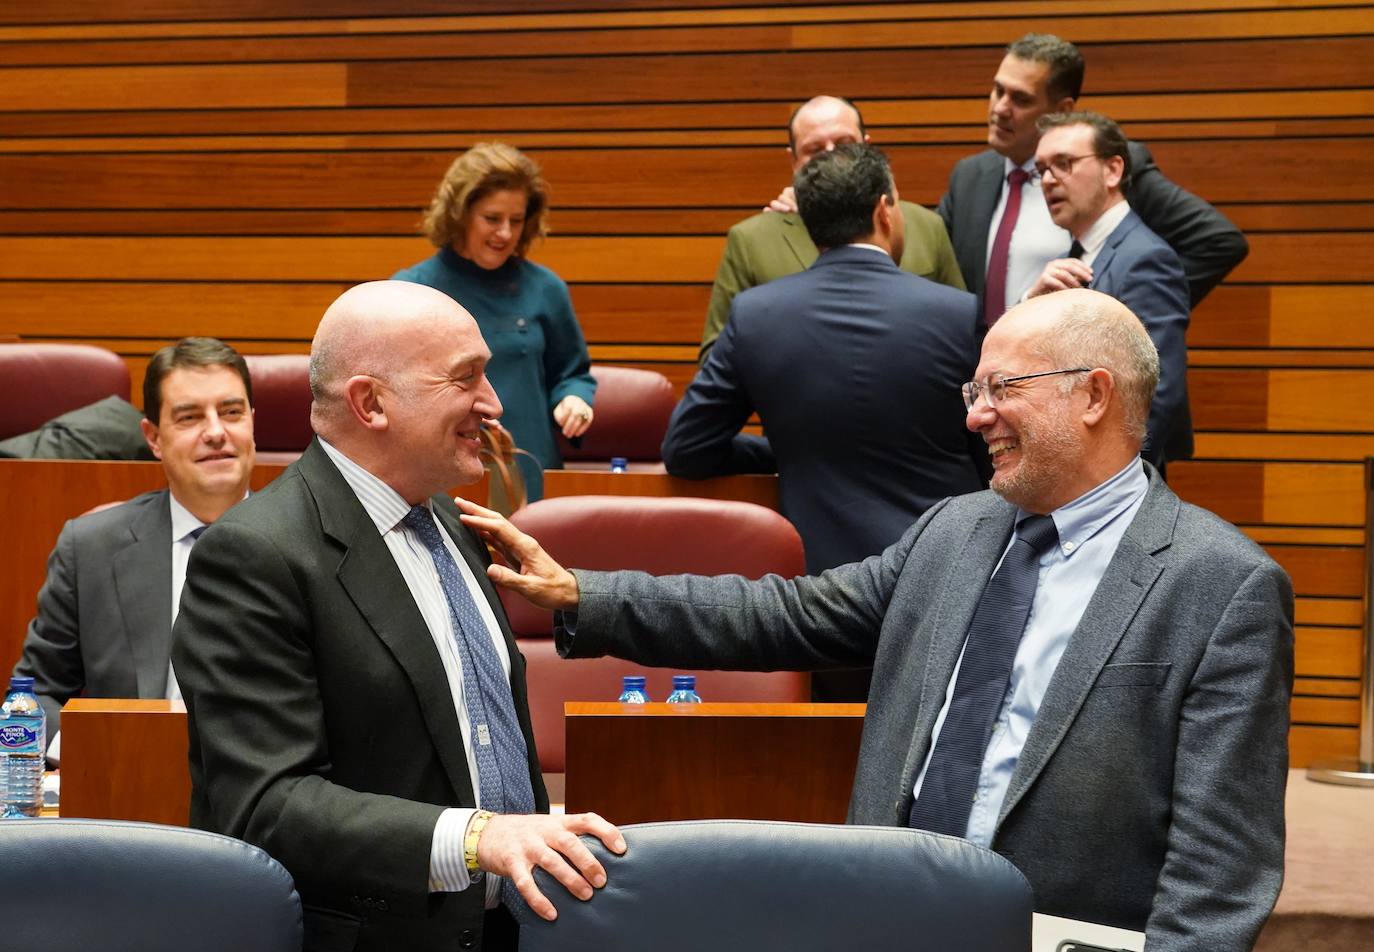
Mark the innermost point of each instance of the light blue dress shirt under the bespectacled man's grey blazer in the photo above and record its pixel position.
(1090, 530)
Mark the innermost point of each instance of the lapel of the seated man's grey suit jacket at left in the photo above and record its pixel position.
(144, 586)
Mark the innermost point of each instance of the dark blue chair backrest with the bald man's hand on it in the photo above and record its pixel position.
(750, 885)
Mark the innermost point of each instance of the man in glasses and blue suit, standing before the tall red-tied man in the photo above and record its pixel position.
(1085, 168)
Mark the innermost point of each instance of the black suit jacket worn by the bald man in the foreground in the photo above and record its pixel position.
(322, 725)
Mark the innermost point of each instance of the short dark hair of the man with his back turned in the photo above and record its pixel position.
(837, 193)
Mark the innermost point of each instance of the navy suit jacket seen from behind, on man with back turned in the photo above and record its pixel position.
(854, 367)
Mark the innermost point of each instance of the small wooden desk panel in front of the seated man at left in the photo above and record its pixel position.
(126, 760)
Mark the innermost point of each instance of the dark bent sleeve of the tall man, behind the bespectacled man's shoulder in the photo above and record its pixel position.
(1206, 241)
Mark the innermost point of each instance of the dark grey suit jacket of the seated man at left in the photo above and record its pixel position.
(105, 611)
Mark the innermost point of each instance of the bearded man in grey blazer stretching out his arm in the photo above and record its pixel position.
(1077, 668)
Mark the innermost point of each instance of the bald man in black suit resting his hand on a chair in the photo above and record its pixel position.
(352, 686)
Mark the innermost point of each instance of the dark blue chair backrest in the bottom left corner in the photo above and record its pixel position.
(111, 885)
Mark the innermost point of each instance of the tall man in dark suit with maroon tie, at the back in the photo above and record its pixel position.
(1041, 75)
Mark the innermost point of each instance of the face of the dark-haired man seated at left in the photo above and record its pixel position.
(204, 438)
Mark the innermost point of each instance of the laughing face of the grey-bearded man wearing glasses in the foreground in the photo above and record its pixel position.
(1034, 433)
